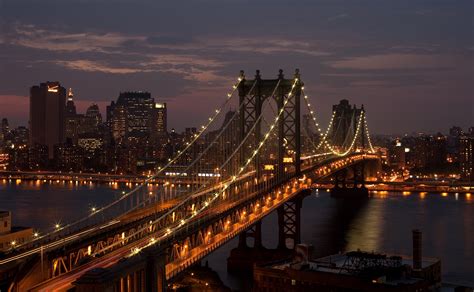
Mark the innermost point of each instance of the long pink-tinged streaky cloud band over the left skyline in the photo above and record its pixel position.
(193, 59)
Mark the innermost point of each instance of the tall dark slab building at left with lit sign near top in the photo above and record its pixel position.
(47, 115)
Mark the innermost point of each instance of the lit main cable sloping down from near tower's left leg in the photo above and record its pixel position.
(48, 237)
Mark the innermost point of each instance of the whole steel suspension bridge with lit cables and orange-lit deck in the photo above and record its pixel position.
(251, 157)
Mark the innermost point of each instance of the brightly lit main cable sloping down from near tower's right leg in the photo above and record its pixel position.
(171, 229)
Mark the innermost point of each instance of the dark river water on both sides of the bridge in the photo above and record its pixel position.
(382, 223)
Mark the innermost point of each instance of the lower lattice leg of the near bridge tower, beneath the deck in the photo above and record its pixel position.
(289, 223)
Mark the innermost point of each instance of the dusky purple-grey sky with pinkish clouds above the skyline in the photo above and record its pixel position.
(411, 63)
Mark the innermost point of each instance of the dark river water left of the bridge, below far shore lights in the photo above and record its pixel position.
(41, 205)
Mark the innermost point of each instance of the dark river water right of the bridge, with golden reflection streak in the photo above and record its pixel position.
(383, 223)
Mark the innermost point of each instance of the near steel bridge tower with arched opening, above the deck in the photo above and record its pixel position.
(251, 99)
